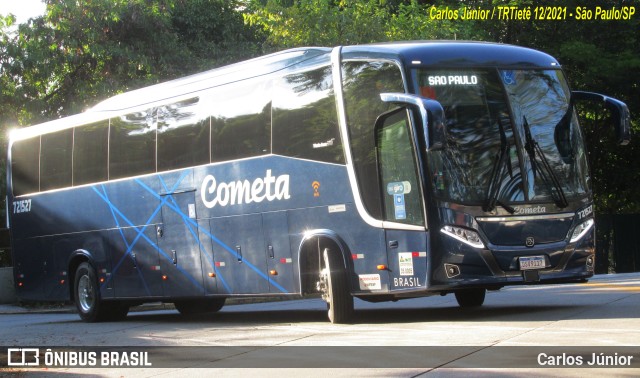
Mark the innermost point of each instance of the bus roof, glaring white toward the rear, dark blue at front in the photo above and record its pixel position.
(416, 53)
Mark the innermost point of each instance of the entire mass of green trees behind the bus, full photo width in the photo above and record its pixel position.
(83, 51)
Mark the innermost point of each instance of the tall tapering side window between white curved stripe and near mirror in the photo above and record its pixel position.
(363, 83)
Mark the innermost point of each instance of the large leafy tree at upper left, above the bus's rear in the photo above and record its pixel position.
(81, 52)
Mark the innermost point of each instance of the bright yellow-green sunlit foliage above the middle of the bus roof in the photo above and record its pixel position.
(332, 22)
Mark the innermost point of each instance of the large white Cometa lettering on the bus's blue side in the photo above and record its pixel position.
(269, 188)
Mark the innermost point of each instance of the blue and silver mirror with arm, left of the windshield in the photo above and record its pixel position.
(431, 113)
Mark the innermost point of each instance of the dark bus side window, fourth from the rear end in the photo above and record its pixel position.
(132, 145)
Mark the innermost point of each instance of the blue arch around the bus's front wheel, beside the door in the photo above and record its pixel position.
(310, 255)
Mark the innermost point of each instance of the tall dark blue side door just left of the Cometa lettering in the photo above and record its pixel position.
(179, 247)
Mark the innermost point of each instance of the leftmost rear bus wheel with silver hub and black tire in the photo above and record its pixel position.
(86, 292)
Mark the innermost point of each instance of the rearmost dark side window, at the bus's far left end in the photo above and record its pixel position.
(25, 166)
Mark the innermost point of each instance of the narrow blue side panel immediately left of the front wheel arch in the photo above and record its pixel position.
(278, 249)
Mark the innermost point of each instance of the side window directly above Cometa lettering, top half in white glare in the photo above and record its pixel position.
(240, 120)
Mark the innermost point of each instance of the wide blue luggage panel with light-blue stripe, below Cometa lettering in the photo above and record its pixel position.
(239, 254)
